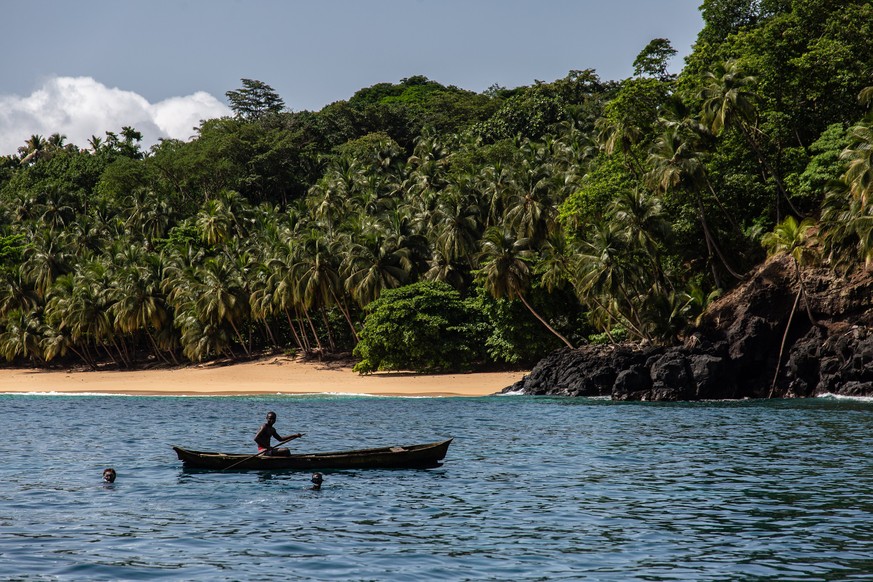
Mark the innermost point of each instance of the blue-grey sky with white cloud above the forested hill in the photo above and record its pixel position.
(84, 68)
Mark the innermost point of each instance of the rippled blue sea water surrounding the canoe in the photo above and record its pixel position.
(531, 489)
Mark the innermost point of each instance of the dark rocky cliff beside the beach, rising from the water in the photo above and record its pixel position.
(735, 351)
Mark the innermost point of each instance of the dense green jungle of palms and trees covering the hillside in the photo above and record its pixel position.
(426, 227)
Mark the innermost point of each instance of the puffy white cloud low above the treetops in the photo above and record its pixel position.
(80, 107)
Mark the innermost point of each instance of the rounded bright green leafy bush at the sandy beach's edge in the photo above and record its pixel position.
(424, 327)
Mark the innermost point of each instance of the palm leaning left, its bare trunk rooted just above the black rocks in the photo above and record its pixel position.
(505, 270)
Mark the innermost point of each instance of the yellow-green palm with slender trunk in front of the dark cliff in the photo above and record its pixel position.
(790, 237)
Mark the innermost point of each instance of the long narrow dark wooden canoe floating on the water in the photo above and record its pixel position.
(405, 457)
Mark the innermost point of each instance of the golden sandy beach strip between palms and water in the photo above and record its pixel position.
(274, 375)
